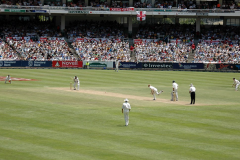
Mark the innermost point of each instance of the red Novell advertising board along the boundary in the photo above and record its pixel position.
(67, 64)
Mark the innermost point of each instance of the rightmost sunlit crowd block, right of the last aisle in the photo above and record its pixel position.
(218, 53)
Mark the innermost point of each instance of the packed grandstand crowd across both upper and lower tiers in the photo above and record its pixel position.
(108, 40)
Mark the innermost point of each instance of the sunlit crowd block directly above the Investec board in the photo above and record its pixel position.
(162, 52)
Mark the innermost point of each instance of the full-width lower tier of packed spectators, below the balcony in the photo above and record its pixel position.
(35, 40)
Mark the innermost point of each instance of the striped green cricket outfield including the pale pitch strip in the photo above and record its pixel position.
(44, 120)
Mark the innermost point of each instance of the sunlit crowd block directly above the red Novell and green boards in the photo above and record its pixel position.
(103, 51)
